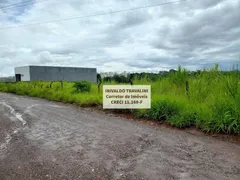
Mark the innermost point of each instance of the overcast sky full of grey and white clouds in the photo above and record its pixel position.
(194, 34)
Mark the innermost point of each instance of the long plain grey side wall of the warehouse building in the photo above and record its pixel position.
(48, 73)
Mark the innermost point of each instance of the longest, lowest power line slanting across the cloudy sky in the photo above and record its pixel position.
(93, 15)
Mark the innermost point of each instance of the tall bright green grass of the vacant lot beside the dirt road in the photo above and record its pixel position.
(209, 100)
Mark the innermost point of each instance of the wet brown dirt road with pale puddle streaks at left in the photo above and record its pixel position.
(46, 140)
